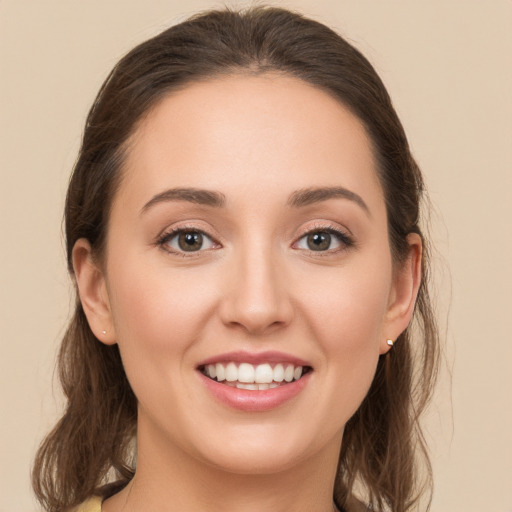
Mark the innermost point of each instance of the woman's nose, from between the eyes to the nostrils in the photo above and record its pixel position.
(256, 295)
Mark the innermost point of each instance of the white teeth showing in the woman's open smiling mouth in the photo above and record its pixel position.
(254, 377)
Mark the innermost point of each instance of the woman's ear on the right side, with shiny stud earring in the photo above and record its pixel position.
(402, 299)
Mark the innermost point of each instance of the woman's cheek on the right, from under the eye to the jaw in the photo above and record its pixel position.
(347, 316)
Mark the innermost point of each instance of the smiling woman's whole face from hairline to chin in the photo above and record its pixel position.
(248, 247)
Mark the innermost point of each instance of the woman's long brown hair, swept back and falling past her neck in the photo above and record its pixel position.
(383, 444)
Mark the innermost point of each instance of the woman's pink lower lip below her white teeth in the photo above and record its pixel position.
(255, 401)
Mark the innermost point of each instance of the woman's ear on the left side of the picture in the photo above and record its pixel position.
(93, 292)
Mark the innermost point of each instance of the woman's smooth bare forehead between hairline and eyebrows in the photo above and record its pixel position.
(263, 134)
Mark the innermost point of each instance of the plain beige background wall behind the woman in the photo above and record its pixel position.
(447, 64)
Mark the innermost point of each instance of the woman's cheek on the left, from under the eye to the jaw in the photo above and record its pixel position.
(158, 317)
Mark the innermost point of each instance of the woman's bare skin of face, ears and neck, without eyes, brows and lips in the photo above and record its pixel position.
(256, 286)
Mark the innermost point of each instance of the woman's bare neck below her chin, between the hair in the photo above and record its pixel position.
(168, 479)
